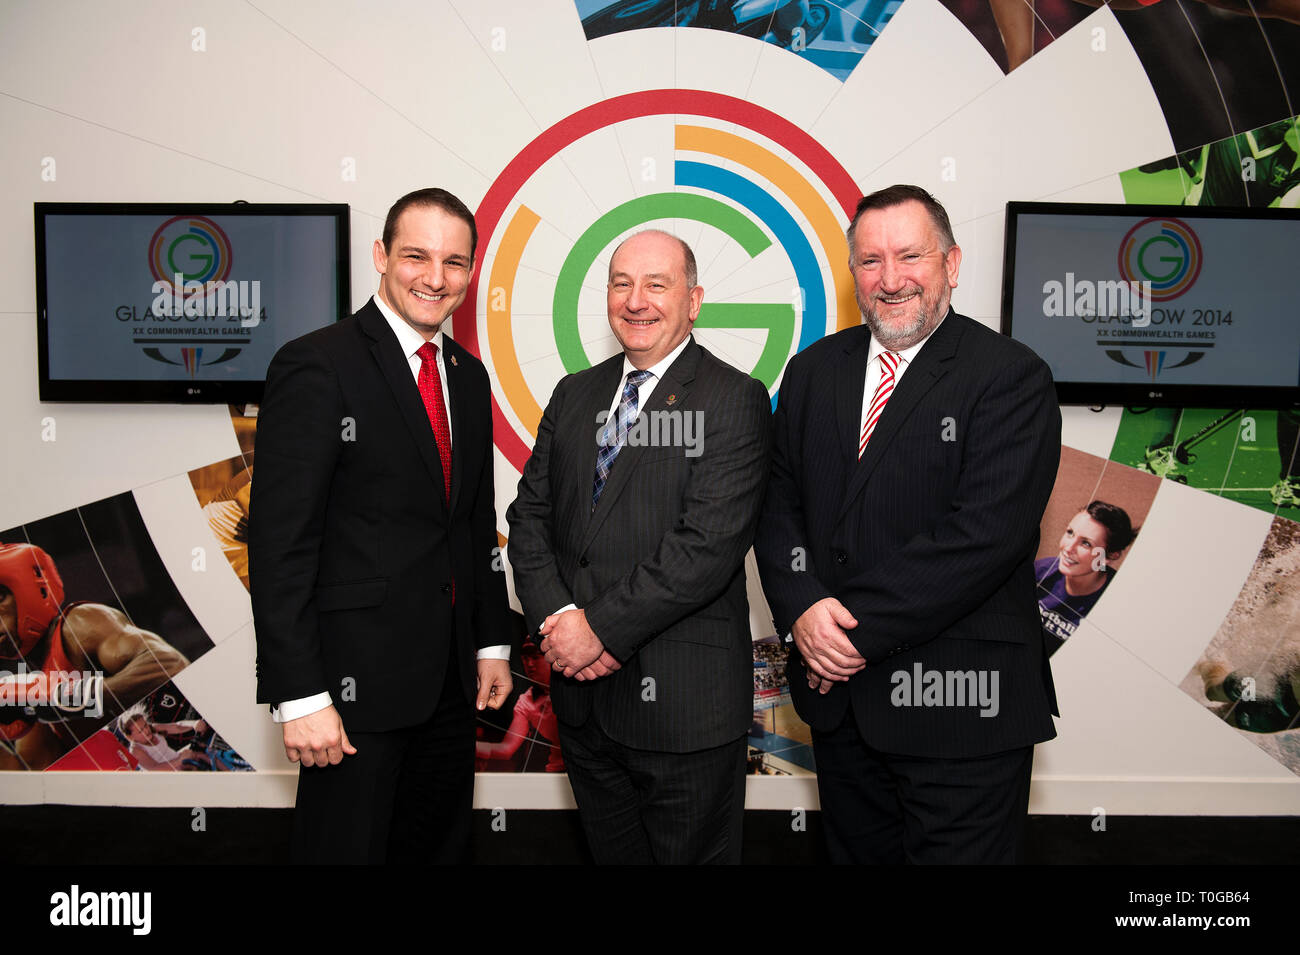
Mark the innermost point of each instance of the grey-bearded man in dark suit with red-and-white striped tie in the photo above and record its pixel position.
(912, 462)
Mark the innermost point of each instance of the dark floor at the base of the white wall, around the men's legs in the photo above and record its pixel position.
(77, 835)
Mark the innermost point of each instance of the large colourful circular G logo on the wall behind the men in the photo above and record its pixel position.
(761, 202)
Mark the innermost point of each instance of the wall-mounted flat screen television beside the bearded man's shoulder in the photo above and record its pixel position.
(1158, 305)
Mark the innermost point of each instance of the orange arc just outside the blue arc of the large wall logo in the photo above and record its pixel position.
(791, 183)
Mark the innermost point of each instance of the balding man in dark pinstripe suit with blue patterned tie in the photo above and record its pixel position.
(629, 541)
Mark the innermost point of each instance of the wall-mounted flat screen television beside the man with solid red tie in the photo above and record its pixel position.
(181, 302)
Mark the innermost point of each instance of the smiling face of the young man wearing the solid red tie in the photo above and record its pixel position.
(426, 275)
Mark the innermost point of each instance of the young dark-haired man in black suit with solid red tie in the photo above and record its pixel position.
(374, 557)
